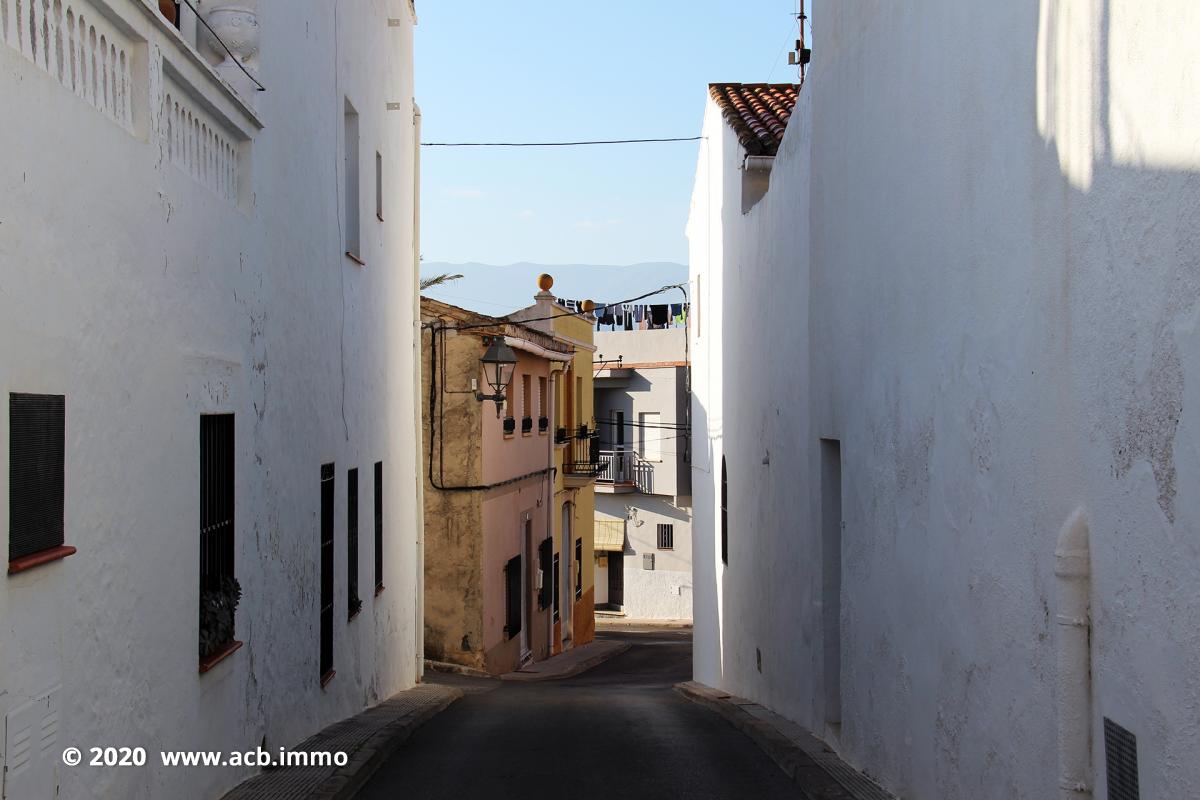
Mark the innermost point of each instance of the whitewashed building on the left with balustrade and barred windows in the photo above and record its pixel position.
(207, 362)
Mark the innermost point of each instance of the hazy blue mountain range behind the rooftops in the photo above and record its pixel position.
(501, 290)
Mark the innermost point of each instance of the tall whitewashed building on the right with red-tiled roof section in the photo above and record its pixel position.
(946, 354)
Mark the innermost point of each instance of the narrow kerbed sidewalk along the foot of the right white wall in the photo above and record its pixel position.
(813, 779)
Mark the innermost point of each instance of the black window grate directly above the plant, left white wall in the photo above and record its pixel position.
(217, 500)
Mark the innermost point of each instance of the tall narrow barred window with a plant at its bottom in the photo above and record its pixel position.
(220, 592)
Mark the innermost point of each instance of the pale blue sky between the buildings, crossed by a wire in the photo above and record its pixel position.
(536, 71)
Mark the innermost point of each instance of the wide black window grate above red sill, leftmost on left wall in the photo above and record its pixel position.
(37, 473)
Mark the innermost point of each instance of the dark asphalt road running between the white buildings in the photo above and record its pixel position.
(615, 732)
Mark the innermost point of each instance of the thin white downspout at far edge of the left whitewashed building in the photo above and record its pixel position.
(419, 605)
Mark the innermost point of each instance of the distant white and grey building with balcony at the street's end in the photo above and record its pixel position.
(644, 494)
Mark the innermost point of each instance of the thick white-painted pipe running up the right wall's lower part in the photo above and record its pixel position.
(1073, 568)
